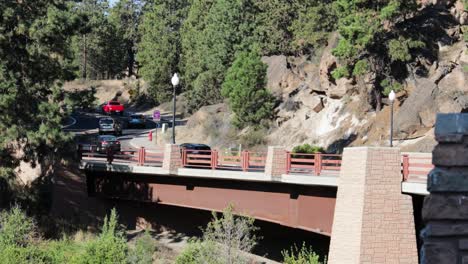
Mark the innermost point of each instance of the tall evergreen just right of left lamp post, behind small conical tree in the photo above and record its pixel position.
(224, 31)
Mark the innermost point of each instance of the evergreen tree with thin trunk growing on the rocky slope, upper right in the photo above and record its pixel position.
(371, 40)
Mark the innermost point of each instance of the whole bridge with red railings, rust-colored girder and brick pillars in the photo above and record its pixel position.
(315, 192)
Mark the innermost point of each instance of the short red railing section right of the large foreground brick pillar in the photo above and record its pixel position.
(416, 167)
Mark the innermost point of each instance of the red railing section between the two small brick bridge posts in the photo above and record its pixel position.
(212, 159)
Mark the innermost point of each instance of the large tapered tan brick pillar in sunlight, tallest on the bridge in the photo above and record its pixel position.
(373, 221)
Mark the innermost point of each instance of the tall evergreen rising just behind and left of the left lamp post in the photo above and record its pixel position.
(160, 45)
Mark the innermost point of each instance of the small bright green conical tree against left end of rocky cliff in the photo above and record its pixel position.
(244, 86)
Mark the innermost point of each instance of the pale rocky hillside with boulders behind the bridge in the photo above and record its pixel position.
(314, 108)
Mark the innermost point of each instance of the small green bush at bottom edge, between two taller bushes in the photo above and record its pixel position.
(145, 247)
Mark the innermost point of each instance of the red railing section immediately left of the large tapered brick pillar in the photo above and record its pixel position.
(312, 164)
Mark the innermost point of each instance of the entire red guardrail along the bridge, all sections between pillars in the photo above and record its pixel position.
(414, 166)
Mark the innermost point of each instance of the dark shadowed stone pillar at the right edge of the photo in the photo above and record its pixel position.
(445, 210)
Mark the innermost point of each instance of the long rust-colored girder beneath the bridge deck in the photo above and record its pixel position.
(309, 208)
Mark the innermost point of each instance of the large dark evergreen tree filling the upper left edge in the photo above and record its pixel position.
(34, 57)
